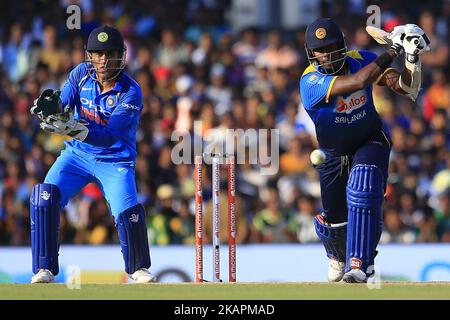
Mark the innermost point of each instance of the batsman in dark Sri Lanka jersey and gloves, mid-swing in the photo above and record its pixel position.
(336, 91)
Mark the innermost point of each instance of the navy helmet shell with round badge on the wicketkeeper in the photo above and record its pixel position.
(105, 38)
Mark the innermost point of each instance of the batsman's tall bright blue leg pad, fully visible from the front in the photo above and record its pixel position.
(364, 200)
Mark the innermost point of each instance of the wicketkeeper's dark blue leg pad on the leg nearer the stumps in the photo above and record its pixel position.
(132, 228)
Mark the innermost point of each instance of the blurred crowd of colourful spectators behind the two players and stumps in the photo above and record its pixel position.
(231, 64)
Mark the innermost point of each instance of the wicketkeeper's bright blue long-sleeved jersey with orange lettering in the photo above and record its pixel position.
(112, 117)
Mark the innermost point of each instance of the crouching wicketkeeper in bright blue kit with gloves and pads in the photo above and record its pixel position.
(99, 107)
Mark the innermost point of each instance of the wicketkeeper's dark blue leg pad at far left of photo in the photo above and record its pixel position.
(45, 202)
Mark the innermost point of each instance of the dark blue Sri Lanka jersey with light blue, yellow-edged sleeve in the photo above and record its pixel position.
(345, 122)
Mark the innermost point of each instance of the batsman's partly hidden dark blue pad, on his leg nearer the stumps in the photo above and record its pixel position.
(333, 236)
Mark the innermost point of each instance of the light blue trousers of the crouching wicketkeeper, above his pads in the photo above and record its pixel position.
(74, 169)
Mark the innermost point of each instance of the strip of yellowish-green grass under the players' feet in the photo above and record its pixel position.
(227, 291)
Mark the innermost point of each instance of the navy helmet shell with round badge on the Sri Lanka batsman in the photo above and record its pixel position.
(322, 32)
